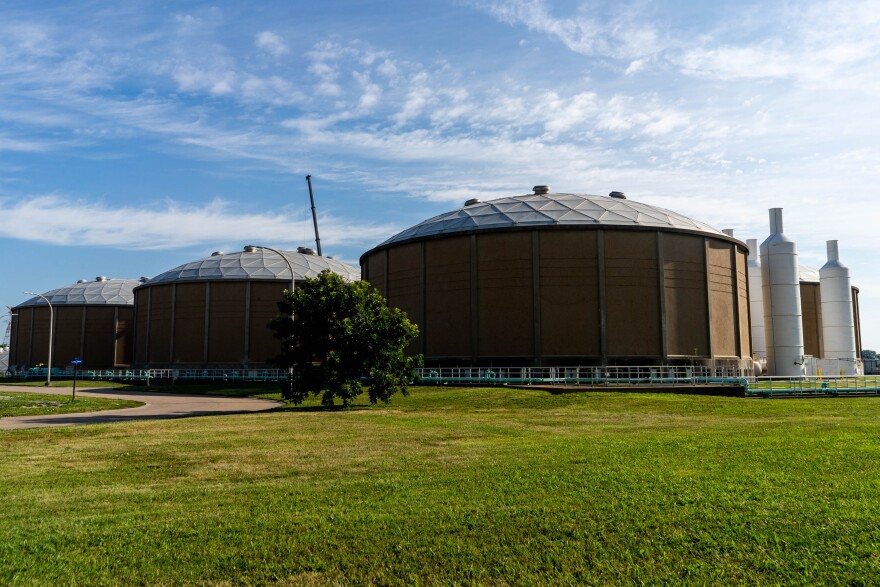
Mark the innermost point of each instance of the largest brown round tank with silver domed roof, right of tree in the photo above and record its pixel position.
(564, 279)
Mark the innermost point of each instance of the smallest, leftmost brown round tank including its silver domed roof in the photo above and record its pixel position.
(93, 322)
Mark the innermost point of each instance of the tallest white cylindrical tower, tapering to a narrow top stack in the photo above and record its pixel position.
(783, 324)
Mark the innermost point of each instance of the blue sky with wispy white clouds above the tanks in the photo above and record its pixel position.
(136, 136)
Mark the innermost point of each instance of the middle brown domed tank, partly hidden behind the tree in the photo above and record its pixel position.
(214, 312)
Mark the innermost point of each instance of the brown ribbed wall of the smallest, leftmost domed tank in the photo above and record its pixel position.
(99, 335)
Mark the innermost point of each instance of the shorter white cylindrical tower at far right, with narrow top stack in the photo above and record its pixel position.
(838, 326)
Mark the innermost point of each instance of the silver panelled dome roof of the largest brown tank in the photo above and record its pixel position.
(545, 209)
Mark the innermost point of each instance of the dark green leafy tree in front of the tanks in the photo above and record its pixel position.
(344, 337)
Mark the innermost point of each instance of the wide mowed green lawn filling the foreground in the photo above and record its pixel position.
(455, 486)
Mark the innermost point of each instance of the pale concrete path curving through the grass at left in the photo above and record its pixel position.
(156, 406)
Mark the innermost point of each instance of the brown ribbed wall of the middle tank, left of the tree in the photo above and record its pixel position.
(207, 324)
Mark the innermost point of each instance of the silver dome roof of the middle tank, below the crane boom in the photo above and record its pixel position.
(256, 264)
